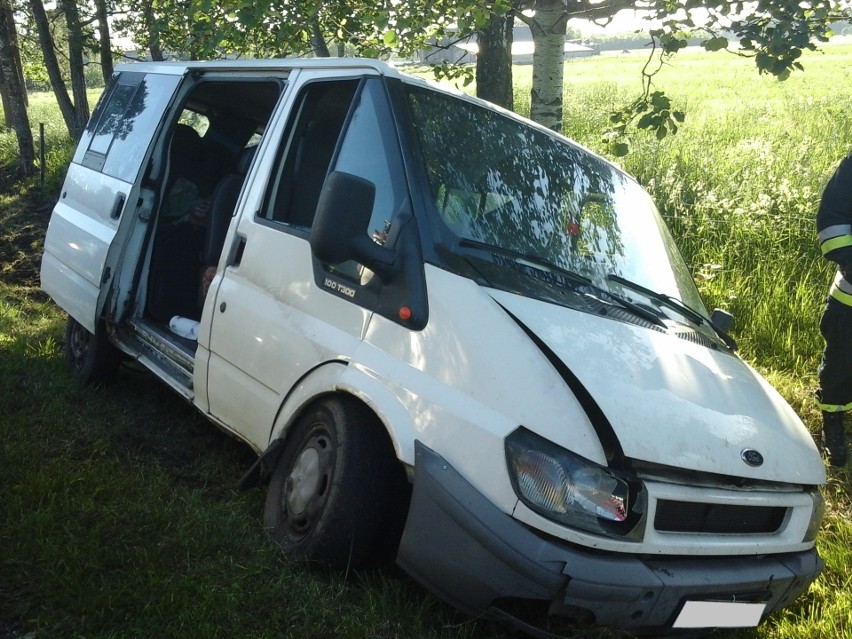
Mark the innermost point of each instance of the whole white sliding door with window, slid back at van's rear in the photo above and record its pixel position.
(101, 184)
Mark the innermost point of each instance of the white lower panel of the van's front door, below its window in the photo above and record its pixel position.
(269, 330)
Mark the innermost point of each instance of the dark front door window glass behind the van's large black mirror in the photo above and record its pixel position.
(305, 158)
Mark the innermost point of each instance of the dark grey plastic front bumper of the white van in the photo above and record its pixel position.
(466, 551)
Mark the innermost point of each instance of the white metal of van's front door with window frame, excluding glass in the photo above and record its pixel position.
(244, 339)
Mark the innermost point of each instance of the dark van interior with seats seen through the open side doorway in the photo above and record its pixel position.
(210, 149)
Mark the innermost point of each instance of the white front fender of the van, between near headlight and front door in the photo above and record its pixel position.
(471, 378)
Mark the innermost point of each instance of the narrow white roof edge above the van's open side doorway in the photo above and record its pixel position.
(243, 64)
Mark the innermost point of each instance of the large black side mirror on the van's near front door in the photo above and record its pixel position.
(339, 232)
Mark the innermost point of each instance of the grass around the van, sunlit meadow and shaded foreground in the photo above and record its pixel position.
(119, 516)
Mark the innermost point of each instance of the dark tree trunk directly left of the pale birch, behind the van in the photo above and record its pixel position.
(494, 61)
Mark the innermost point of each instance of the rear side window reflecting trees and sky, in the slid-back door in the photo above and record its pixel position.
(123, 124)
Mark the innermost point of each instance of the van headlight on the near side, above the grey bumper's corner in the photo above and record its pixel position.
(572, 490)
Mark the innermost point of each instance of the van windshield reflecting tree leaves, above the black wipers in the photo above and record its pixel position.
(497, 181)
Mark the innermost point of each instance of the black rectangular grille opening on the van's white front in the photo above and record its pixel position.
(689, 517)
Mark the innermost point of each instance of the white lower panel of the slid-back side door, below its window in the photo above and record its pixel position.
(78, 238)
